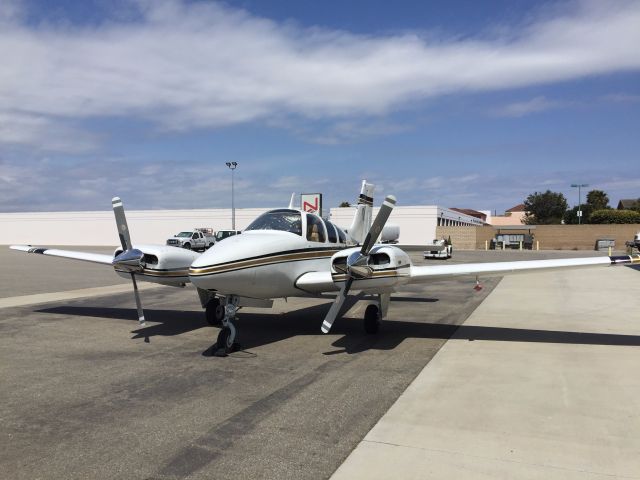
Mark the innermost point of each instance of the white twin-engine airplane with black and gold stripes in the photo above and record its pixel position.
(291, 253)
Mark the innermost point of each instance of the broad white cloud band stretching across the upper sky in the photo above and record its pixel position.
(183, 66)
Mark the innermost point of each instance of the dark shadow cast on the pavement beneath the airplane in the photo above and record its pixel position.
(258, 329)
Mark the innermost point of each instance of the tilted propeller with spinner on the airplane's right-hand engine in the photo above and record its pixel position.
(357, 267)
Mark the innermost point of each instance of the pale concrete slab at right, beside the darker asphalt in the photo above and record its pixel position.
(540, 382)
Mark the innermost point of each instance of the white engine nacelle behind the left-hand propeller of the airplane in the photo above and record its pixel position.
(159, 264)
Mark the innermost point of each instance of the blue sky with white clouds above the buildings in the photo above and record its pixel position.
(458, 103)
